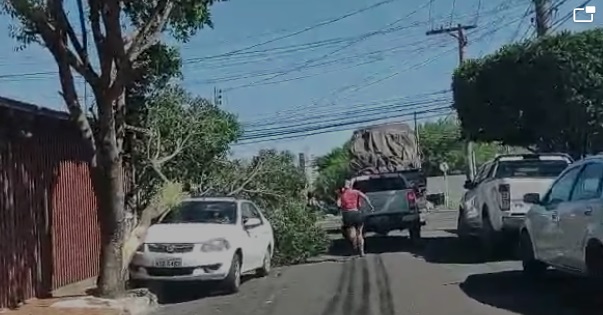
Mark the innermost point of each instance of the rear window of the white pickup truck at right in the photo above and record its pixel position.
(530, 168)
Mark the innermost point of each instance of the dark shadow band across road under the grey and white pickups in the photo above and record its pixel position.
(447, 249)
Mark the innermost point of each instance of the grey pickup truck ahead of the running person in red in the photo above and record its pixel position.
(395, 202)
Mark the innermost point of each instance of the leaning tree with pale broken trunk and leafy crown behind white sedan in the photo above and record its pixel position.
(181, 143)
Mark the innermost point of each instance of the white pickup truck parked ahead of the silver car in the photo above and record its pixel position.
(492, 209)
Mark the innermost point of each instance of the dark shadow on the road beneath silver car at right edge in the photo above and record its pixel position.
(555, 293)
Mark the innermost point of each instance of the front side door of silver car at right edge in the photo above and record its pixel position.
(547, 236)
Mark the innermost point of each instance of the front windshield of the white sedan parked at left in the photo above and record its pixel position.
(222, 212)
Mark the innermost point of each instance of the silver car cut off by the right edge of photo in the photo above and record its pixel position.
(563, 229)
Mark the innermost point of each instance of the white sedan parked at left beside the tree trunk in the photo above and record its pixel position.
(206, 239)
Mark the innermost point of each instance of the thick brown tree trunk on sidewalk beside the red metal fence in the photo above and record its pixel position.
(109, 188)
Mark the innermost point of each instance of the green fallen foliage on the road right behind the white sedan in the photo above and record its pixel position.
(272, 180)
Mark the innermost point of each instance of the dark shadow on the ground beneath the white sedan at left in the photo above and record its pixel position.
(176, 293)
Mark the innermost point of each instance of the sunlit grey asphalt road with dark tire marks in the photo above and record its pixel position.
(395, 278)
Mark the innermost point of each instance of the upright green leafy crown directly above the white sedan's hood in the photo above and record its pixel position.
(196, 130)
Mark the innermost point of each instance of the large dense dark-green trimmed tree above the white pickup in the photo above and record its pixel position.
(546, 94)
